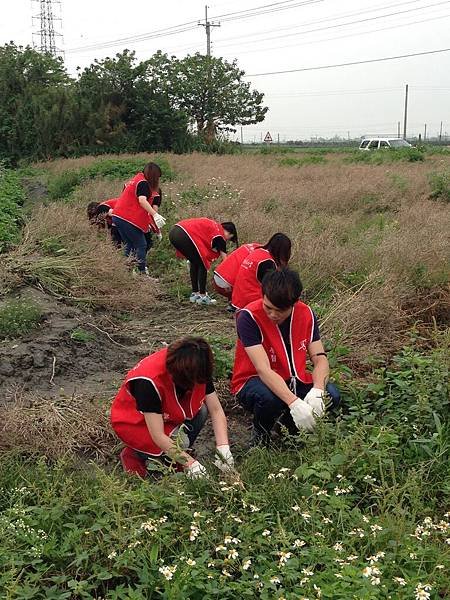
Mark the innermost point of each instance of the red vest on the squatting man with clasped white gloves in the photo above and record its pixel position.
(301, 333)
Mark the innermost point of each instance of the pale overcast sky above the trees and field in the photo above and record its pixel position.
(351, 100)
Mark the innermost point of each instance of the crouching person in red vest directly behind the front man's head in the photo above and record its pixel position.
(273, 255)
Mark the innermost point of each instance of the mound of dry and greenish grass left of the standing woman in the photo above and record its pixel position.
(63, 254)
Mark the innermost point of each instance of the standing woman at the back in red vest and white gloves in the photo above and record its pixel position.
(136, 213)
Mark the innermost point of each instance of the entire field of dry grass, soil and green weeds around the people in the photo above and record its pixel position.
(357, 510)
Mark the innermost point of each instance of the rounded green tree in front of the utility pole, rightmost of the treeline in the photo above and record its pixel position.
(213, 93)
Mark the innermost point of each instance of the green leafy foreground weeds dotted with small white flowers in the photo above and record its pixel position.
(349, 509)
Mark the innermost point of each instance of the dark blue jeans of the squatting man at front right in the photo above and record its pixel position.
(267, 408)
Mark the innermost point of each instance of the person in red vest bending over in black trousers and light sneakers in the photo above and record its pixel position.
(201, 241)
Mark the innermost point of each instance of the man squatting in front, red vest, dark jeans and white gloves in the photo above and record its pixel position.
(276, 333)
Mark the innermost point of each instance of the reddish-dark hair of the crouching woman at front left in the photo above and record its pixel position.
(189, 361)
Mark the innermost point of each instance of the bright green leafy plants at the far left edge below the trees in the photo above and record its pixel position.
(12, 197)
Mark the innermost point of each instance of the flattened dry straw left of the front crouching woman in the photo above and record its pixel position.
(55, 427)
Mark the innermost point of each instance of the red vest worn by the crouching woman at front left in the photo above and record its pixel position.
(129, 424)
